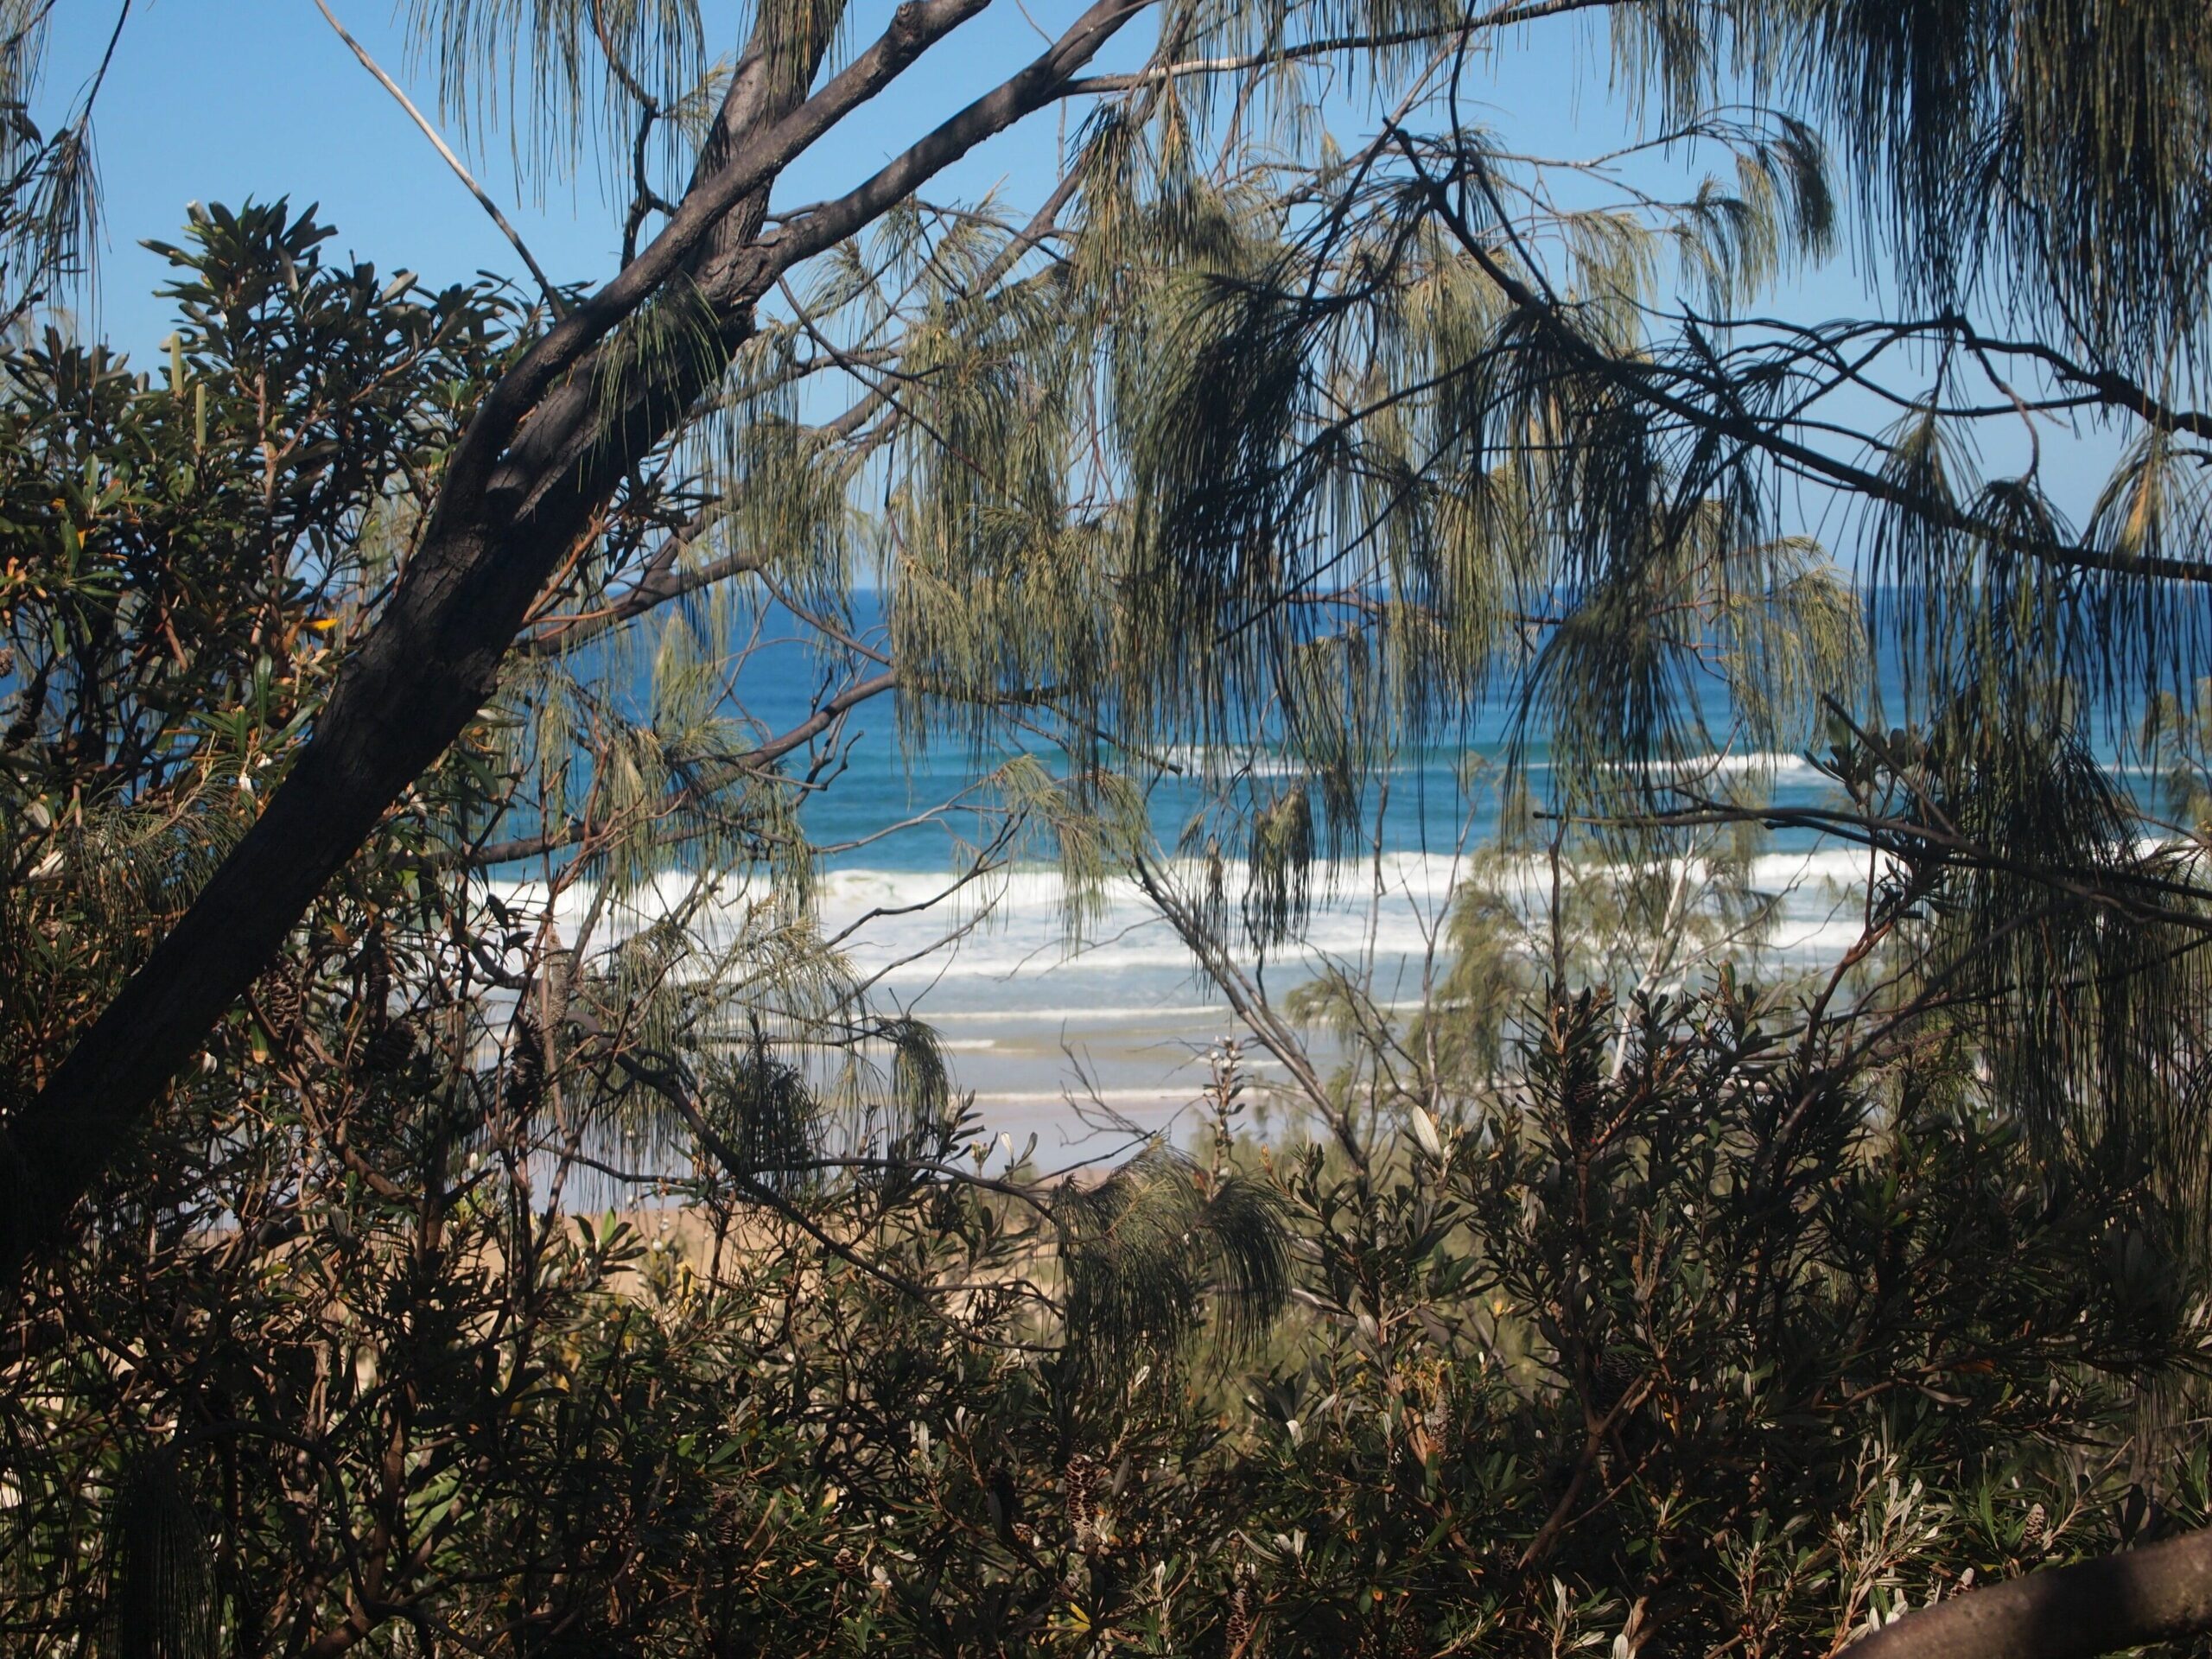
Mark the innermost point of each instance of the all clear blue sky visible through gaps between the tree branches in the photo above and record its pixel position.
(220, 101)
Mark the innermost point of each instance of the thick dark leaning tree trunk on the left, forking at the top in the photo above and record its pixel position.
(547, 448)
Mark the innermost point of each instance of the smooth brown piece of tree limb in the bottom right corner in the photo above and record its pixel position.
(2129, 1600)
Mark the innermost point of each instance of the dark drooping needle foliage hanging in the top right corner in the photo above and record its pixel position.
(2038, 156)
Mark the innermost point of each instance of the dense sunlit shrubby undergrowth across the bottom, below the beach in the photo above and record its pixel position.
(1711, 1355)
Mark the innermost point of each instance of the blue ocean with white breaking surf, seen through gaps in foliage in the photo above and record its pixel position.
(1056, 1034)
